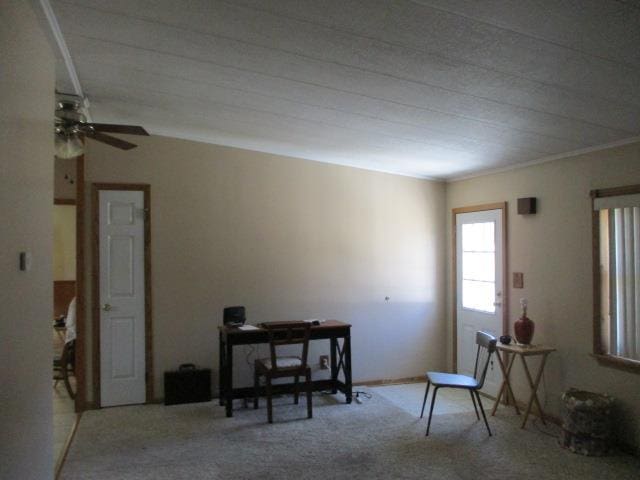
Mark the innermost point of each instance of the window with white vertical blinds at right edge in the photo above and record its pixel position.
(617, 289)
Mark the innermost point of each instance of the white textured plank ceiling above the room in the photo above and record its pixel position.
(427, 88)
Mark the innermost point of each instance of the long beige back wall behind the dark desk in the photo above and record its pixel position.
(289, 239)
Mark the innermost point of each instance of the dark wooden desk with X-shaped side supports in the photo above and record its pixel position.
(332, 330)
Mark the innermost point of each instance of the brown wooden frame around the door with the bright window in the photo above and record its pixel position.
(454, 270)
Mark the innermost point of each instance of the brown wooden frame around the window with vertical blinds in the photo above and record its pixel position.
(600, 350)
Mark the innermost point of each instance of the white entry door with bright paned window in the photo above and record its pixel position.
(479, 286)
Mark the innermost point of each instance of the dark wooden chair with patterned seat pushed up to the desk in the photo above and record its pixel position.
(281, 334)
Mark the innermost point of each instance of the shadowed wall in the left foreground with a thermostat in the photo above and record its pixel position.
(26, 192)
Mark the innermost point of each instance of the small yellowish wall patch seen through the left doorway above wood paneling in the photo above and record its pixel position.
(64, 242)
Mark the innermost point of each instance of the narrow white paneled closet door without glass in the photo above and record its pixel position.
(122, 297)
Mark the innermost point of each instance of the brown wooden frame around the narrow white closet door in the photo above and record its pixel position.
(95, 284)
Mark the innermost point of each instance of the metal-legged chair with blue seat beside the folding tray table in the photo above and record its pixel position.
(486, 346)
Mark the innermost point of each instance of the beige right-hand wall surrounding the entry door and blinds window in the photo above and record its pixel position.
(553, 249)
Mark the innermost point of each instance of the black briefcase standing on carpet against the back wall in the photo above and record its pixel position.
(187, 385)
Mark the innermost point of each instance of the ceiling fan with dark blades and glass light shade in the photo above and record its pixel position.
(71, 126)
